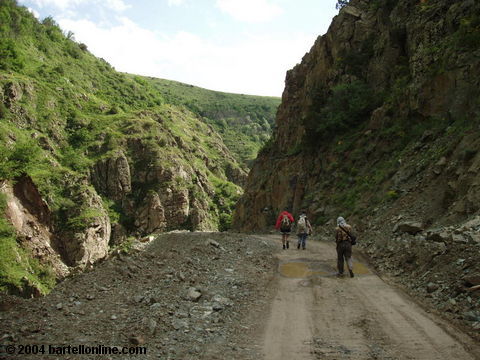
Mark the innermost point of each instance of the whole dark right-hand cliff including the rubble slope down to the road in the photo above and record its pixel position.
(379, 123)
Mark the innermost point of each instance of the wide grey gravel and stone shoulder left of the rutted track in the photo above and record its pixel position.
(183, 296)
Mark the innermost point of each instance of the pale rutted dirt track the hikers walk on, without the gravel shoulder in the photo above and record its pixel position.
(316, 315)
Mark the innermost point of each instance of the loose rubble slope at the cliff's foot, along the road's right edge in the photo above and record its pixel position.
(439, 265)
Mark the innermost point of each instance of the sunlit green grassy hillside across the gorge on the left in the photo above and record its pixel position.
(65, 113)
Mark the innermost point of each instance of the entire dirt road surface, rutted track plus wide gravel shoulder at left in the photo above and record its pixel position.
(249, 308)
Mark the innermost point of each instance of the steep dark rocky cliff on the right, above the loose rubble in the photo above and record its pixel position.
(388, 92)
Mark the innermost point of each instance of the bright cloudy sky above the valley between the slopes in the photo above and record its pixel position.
(240, 46)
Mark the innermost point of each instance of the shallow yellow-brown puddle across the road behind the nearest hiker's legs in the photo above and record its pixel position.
(306, 269)
